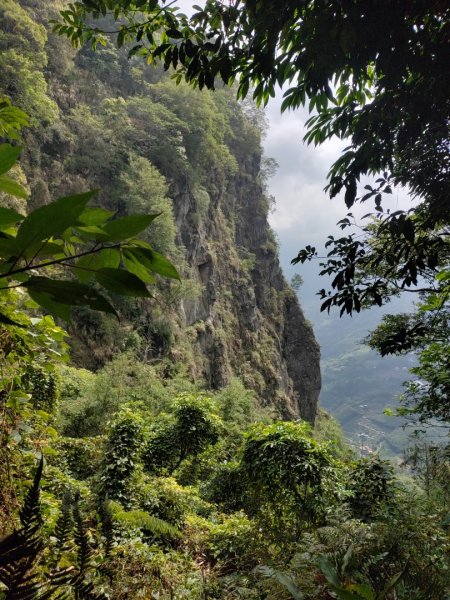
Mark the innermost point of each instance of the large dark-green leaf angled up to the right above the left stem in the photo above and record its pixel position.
(51, 220)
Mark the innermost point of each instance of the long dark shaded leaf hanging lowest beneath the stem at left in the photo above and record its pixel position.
(70, 293)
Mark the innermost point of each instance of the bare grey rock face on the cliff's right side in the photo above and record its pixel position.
(246, 321)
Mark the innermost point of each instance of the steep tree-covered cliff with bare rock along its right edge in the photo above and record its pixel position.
(195, 157)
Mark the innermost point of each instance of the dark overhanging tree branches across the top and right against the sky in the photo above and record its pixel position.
(389, 100)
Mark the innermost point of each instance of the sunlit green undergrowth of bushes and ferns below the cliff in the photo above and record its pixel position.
(183, 495)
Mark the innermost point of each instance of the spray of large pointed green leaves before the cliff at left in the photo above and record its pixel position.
(84, 239)
